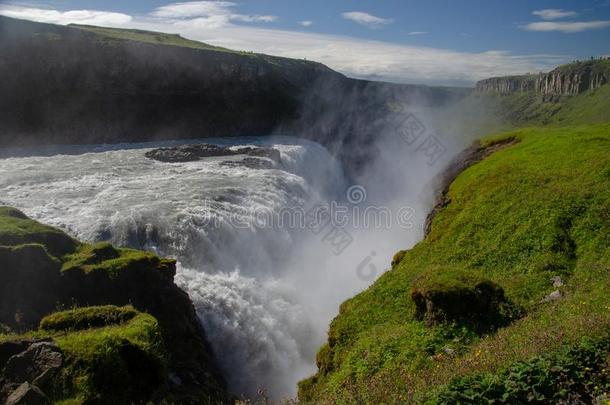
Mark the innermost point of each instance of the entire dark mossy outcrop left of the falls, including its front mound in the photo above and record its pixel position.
(116, 326)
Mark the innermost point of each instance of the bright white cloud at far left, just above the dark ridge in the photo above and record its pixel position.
(91, 17)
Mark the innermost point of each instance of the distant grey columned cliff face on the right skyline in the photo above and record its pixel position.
(566, 80)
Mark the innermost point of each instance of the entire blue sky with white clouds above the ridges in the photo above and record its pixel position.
(433, 41)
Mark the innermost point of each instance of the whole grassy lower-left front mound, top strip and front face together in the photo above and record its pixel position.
(120, 361)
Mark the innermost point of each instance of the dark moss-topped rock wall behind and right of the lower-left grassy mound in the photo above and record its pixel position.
(33, 282)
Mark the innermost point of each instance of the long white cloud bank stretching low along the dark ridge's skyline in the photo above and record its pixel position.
(351, 56)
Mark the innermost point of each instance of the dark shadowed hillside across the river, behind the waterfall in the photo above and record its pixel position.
(83, 84)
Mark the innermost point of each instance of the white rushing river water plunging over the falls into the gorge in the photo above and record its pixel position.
(264, 295)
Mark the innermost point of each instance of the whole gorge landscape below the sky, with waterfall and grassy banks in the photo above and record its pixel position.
(339, 240)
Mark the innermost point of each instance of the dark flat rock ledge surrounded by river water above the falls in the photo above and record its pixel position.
(193, 153)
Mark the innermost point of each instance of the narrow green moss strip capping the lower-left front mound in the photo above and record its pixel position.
(87, 317)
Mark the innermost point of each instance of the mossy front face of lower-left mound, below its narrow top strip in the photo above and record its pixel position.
(112, 364)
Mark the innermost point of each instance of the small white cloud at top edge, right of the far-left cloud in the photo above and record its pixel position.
(210, 14)
